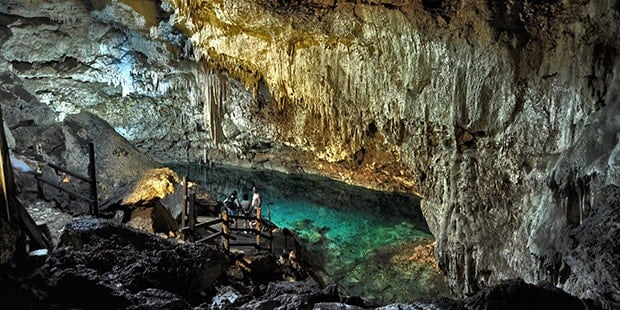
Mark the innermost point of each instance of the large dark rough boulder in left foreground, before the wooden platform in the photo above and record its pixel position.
(125, 268)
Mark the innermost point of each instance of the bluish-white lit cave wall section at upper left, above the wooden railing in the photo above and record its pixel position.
(122, 61)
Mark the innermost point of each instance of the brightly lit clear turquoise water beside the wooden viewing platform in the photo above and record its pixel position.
(357, 251)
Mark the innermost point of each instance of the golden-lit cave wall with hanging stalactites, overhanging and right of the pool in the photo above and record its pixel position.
(505, 113)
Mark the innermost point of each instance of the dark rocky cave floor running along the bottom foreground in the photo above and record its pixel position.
(99, 264)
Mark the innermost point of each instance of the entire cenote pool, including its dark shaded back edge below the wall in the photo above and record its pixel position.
(373, 244)
